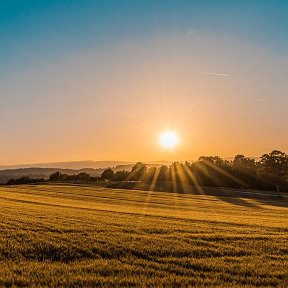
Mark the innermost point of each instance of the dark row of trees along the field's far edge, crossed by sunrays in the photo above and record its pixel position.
(270, 172)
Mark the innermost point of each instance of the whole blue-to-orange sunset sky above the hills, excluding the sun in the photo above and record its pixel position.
(99, 80)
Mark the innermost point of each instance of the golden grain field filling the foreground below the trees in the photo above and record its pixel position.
(83, 236)
